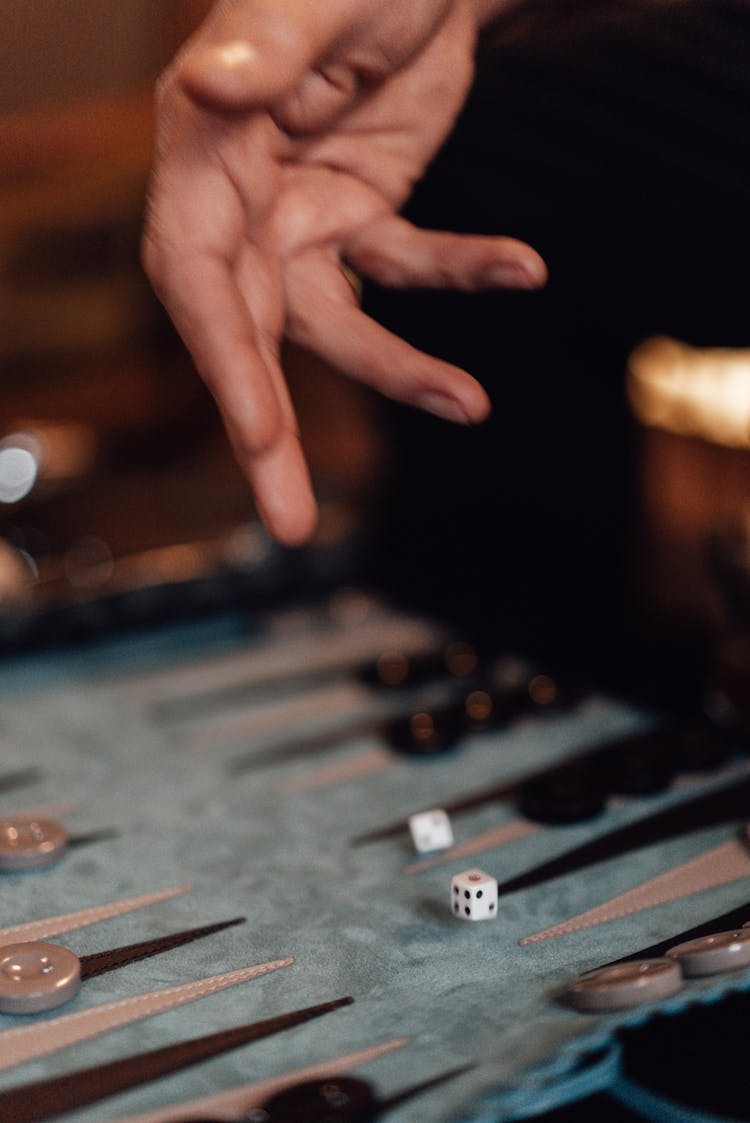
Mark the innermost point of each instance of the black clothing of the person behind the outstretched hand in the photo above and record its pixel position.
(616, 139)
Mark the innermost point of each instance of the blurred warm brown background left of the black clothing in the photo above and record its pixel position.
(115, 473)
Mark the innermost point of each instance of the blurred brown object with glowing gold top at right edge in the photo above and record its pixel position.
(694, 405)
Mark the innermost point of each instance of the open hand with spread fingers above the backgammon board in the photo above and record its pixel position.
(290, 133)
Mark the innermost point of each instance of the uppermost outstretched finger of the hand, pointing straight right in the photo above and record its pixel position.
(396, 253)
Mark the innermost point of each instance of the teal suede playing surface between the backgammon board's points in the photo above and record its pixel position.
(464, 993)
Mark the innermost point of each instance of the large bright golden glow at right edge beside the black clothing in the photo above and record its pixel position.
(697, 392)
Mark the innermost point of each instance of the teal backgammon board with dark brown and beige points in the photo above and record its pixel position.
(250, 764)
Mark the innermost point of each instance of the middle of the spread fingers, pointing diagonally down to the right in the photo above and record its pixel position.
(325, 318)
